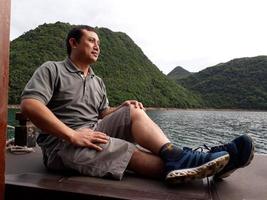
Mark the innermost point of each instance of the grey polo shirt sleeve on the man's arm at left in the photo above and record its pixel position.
(42, 83)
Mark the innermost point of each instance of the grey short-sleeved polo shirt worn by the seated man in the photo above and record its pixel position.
(76, 100)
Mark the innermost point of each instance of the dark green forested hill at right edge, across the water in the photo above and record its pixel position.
(239, 83)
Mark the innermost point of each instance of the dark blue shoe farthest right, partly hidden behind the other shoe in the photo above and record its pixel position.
(241, 151)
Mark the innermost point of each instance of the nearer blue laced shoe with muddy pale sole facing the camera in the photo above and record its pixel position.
(190, 165)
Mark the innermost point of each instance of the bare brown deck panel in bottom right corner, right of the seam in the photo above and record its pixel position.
(246, 183)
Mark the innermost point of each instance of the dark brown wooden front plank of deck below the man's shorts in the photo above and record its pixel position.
(131, 187)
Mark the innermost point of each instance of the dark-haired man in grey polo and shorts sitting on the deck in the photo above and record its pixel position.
(80, 132)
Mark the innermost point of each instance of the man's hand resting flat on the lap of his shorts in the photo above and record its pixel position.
(86, 137)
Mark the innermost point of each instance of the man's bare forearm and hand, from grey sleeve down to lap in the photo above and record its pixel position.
(44, 119)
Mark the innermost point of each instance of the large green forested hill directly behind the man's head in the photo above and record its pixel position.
(126, 71)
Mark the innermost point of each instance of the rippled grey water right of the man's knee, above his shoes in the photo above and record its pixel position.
(193, 128)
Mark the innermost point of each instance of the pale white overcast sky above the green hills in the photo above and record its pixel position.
(194, 34)
